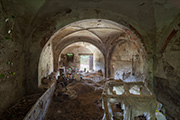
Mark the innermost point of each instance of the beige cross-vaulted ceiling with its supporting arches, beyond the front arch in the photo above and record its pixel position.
(103, 34)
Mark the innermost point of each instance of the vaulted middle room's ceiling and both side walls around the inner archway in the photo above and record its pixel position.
(110, 38)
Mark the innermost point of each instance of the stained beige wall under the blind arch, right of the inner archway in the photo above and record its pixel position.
(125, 62)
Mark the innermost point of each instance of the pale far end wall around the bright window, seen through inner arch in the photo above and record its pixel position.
(79, 49)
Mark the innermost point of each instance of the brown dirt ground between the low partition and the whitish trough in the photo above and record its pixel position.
(86, 105)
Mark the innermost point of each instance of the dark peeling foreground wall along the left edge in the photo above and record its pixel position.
(11, 59)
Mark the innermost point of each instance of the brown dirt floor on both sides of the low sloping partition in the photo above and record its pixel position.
(79, 100)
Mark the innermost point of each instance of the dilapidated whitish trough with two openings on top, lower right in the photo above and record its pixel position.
(133, 99)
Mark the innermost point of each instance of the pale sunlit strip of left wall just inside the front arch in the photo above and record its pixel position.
(45, 62)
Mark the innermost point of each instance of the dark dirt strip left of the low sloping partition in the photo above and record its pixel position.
(21, 108)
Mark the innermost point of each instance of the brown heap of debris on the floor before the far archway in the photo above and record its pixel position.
(74, 88)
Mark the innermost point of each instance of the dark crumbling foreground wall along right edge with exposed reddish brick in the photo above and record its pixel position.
(167, 60)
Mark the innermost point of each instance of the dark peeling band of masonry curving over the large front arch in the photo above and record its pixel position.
(43, 24)
